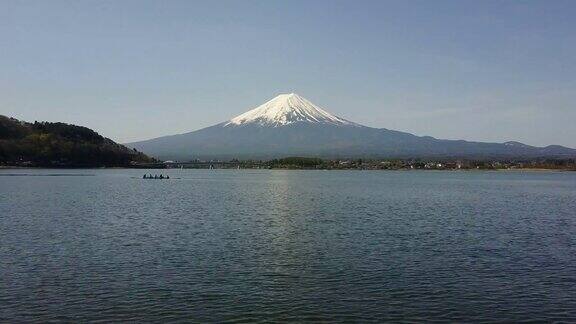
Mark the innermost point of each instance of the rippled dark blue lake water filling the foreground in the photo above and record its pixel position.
(243, 246)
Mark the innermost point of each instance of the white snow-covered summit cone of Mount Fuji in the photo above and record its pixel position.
(286, 109)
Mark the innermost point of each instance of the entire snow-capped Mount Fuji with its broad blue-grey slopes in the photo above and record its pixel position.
(290, 125)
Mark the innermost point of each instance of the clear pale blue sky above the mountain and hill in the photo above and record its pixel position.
(132, 70)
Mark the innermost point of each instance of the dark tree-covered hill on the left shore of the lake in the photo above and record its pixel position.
(46, 144)
